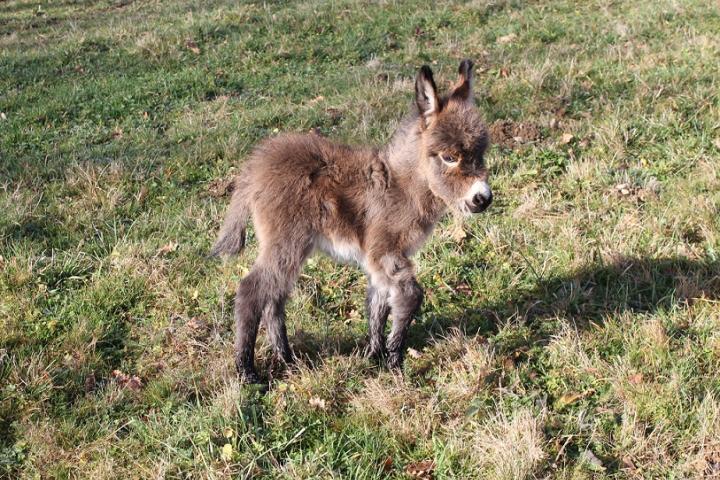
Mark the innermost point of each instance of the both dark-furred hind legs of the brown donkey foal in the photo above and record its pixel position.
(261, 296)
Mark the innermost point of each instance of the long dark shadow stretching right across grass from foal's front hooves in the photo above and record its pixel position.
(586, 296)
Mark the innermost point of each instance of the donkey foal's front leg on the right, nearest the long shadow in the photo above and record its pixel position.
(405, 301)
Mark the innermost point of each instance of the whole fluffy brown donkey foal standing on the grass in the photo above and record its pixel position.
(371, 206)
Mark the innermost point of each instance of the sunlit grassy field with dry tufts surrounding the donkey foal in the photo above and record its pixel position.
(574, 333)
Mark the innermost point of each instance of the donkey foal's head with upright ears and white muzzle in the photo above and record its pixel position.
(454, 140)
